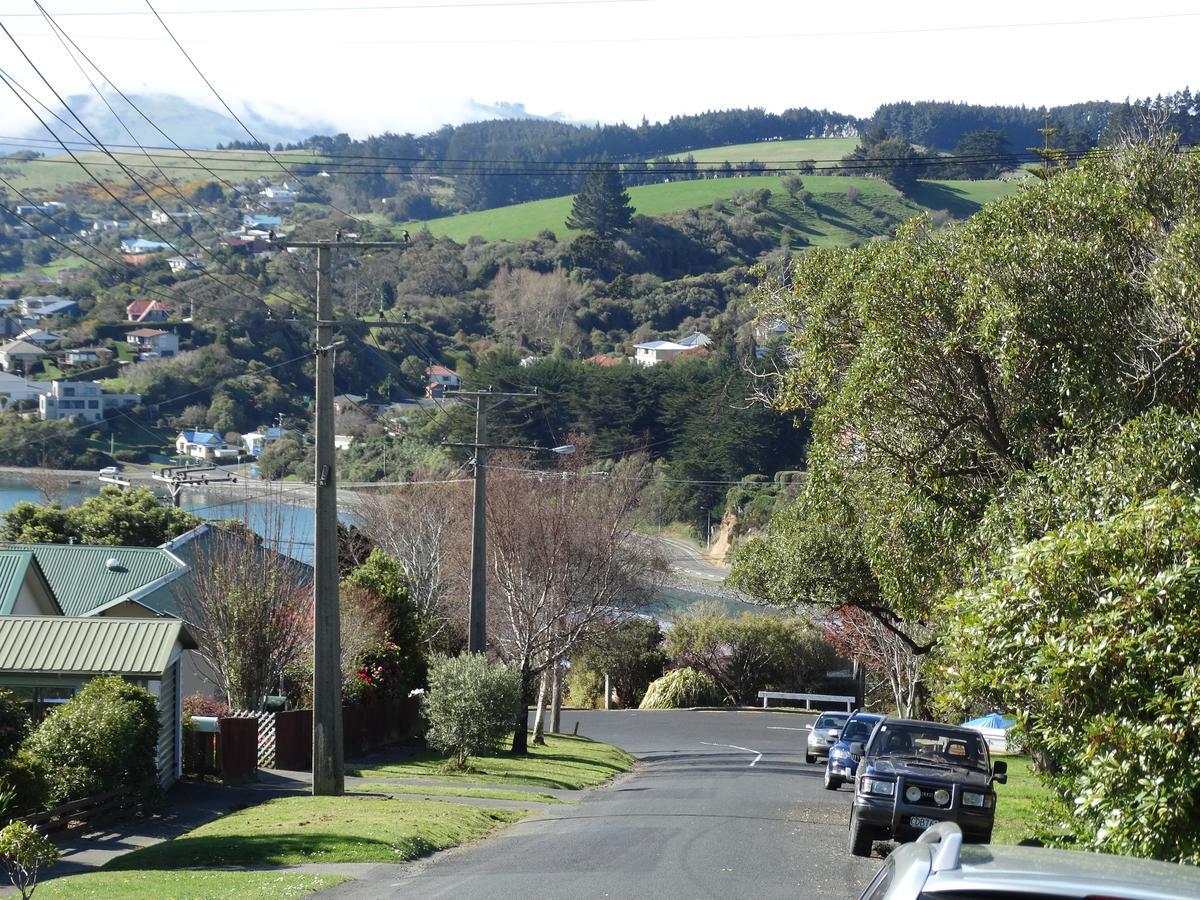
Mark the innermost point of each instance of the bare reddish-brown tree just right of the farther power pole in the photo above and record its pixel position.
(562, 559)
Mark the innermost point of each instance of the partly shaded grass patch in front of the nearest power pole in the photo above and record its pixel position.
(293, 831)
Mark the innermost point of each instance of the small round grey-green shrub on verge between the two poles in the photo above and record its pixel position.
(470, 706)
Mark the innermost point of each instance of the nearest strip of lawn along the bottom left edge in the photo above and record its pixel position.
(159, 885)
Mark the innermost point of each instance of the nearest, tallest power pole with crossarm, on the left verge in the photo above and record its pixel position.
(328, 757)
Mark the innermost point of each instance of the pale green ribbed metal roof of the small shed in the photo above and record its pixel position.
(33, 645)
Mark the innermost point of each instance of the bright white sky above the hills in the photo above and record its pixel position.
(368, 67)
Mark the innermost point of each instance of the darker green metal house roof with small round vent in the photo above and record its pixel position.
(83, 579)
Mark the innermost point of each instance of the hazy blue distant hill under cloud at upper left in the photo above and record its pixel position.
(189, 124)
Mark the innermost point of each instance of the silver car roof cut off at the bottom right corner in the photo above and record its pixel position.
(939, 866)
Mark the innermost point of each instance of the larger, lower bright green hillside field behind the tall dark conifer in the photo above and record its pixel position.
(832, 219)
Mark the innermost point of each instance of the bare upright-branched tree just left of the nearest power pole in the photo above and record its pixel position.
(253, 609)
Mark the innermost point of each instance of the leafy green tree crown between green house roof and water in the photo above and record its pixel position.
(135, 518)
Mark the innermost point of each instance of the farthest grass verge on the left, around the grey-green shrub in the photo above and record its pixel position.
(566, 763)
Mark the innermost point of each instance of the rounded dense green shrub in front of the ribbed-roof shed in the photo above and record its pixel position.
(103, 739)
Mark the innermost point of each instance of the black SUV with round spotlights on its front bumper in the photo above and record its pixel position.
(916, 775)
